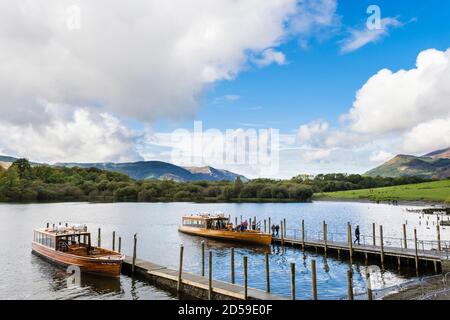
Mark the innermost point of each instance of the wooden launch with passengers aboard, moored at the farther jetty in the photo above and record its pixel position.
(218, 227)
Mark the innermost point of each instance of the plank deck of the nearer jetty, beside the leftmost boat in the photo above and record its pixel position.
(194, 286)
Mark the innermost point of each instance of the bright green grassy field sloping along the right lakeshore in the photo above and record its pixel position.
(430, 191)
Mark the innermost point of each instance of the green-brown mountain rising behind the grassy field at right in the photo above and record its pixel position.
(433, 165)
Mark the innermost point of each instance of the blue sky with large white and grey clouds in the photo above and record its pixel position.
(96, 81)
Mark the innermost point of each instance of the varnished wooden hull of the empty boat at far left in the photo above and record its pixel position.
(97, 266)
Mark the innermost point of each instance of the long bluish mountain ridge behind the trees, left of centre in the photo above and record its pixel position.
(161, 170)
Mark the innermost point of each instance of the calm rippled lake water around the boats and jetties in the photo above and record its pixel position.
(25, 276)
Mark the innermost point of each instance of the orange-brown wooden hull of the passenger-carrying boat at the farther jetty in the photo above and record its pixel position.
(235, 236)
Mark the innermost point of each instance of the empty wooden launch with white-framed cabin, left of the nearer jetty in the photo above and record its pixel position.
(72, 246)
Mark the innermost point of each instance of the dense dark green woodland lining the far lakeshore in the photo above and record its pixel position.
(22, 182)
